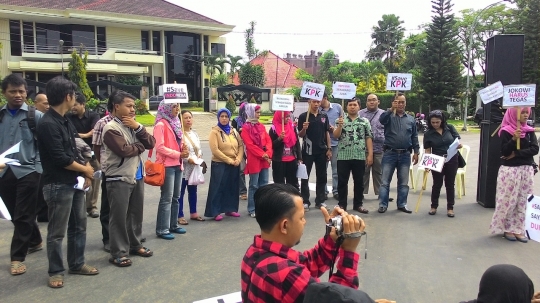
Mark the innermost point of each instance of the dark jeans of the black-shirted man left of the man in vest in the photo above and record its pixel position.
(67, 211)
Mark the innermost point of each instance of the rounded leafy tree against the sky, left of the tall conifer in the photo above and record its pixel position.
(387, 36)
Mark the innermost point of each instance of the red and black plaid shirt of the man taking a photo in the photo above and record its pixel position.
(283, 274)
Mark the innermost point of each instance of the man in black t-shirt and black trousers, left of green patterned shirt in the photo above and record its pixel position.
(316, 148)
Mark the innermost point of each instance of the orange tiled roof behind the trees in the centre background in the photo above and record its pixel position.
(275, 66)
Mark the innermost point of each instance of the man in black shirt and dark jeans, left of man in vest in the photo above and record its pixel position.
(61, 168)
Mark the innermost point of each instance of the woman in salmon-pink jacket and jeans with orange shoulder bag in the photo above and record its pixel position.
(169, 151)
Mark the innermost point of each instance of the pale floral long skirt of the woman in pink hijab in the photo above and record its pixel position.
(514, 185)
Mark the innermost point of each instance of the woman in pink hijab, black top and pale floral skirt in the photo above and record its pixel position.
(516, 175)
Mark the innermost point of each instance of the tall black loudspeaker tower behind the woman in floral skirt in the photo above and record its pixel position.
(504, 62)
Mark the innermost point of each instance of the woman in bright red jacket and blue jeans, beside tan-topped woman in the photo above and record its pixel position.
(259, 153)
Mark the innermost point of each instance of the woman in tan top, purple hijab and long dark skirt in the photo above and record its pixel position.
(227, 152)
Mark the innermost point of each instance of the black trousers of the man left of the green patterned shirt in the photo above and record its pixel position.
(320, 167)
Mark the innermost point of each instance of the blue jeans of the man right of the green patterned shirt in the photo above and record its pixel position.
(390, 162)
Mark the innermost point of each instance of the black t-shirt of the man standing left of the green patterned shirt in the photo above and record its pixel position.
(314, 142)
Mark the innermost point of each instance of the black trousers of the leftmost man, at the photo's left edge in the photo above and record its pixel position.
(20, 197)
